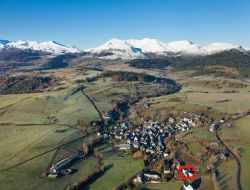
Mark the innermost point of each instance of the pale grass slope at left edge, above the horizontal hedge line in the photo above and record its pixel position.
(66, 108)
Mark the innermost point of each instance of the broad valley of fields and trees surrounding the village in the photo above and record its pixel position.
(39, 128)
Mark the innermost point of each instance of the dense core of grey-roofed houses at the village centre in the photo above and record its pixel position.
(149, 137)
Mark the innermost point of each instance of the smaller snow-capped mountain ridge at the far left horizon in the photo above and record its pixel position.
(51, 47)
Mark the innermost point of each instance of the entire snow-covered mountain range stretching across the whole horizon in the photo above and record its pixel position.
(122, 49)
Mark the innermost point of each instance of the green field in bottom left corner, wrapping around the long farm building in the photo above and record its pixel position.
(27, 176)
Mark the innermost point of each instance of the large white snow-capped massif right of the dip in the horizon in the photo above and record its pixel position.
(131, 49)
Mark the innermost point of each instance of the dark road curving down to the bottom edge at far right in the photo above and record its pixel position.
(238, 183)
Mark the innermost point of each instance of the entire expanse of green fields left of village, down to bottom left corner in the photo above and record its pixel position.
(29, 139)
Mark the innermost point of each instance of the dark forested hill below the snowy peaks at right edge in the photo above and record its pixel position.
(231, 63)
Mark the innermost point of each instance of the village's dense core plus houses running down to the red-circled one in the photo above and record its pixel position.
(149, 142)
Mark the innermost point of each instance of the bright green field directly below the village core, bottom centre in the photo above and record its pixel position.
(121, 168)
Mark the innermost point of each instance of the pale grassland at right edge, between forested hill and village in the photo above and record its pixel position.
(196, 92)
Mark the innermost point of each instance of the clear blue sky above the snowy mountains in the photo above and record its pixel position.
(89, 23)
